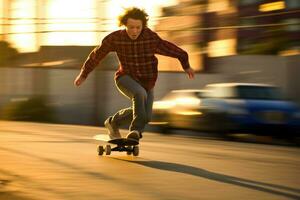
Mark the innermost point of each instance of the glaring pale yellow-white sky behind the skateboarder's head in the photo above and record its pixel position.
(69, 22)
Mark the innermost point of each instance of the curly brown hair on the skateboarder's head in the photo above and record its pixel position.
(134, 13)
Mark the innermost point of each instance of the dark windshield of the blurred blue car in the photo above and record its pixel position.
(252, 92)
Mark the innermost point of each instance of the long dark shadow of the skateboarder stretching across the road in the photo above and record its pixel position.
(189, 170)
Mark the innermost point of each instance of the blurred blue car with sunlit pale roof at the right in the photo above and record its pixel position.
(245, 107)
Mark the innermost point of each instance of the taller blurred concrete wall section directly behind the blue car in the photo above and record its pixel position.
(281, 71)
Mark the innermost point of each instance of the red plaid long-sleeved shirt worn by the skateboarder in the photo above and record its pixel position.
(136, 57)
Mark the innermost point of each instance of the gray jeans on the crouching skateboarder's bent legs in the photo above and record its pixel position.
(139, 114)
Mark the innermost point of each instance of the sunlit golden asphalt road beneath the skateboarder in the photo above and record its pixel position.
(46, 161)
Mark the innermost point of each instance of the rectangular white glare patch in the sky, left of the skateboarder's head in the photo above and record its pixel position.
(63, 19)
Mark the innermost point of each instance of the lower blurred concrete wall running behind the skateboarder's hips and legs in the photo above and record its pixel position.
(90, 103)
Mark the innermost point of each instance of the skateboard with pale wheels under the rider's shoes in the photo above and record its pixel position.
(123, 144)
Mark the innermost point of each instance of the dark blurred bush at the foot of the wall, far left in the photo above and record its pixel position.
(33, 109)
